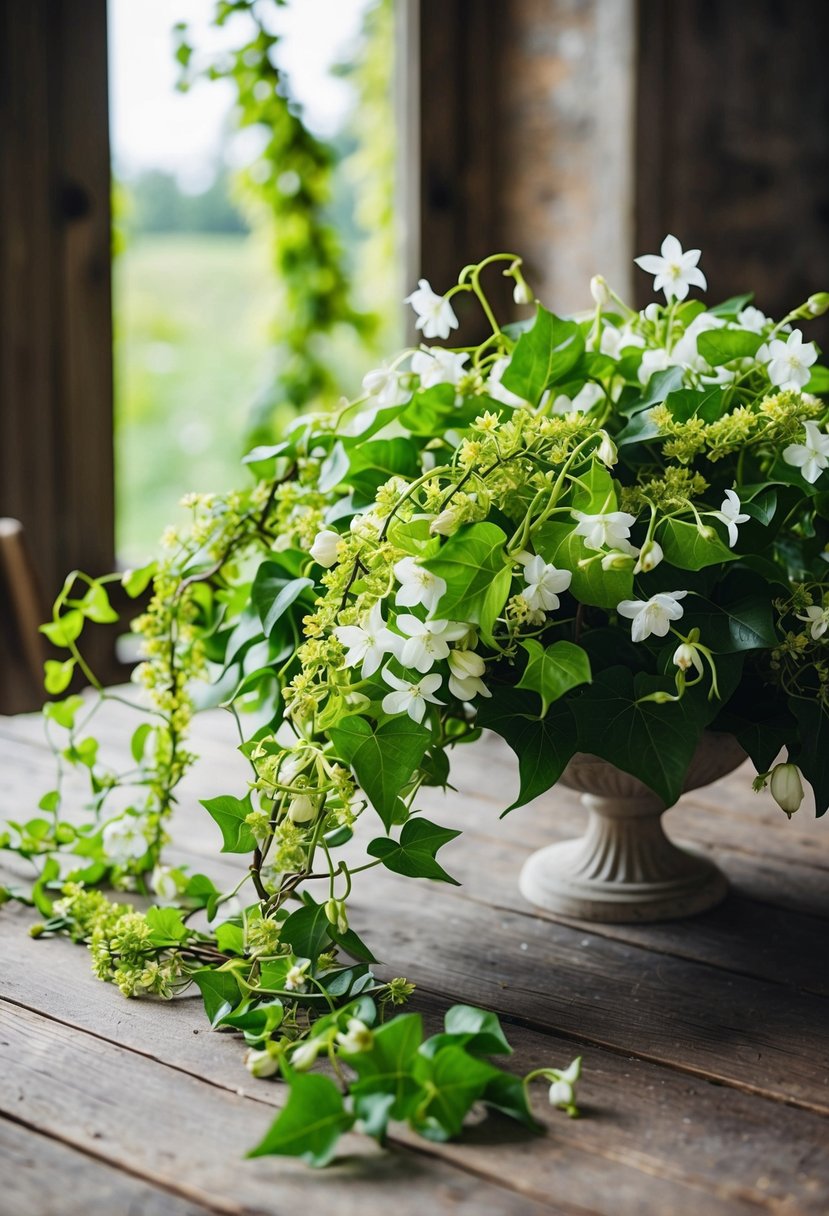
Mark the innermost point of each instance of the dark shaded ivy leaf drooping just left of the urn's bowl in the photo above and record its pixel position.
(543, 746)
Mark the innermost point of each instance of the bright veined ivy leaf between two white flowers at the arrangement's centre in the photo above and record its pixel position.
(475, 567)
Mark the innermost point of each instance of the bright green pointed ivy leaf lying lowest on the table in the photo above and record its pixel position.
(311, 1123)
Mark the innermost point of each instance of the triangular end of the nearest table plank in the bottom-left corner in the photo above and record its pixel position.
(43, 1178)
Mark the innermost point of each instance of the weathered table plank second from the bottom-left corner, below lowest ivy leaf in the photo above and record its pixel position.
(190, 1136)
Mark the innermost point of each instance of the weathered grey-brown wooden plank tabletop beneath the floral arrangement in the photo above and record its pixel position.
(707, 1083)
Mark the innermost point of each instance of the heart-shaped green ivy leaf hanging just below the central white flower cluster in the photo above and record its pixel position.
(384, 759)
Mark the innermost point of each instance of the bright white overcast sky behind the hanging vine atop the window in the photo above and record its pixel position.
(156, 127)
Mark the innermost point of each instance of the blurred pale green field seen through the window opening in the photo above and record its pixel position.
(193, 316)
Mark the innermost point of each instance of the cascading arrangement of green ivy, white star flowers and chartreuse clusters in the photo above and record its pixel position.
(605, 534)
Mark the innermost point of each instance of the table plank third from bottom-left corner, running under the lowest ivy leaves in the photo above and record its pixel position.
(638, 1114)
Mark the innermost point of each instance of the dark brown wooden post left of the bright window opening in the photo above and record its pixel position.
(57, 449)
